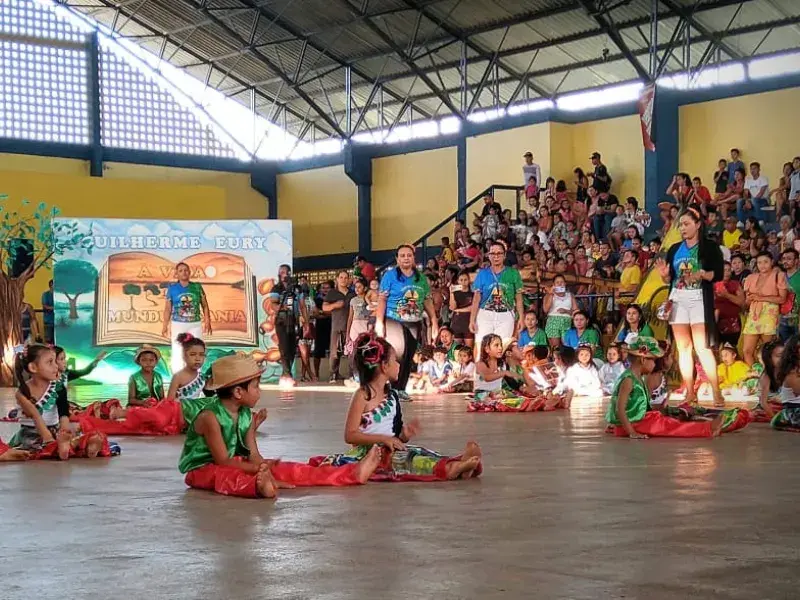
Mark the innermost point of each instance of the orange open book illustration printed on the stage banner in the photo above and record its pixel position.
(130, 298)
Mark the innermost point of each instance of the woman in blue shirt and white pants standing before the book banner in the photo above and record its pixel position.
(185, 311)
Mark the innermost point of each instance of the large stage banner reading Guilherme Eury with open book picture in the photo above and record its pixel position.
(111, 296)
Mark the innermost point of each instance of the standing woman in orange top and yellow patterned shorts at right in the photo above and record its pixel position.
(765, 290)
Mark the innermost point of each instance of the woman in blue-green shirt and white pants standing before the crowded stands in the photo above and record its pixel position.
(497, 298)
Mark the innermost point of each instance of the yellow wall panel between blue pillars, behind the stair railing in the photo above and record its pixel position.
(410, 194)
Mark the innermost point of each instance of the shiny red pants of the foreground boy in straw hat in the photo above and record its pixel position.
(232, 481)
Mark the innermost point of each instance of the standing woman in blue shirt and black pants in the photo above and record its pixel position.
(404, 296)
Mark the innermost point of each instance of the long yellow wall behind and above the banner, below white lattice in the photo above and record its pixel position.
(127, 191)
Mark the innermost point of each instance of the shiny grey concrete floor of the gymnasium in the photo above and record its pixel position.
(562, 511)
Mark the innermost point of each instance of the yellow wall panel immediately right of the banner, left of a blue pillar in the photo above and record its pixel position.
(323, 206)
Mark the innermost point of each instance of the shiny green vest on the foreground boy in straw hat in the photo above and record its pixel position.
(196, 453)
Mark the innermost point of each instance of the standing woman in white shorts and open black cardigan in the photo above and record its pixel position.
(691, 268)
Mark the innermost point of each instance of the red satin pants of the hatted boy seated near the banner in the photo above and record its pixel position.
(162, 417)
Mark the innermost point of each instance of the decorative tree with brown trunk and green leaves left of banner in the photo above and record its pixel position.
(38, 234)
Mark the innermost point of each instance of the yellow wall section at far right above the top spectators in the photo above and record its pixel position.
(760, 125)
